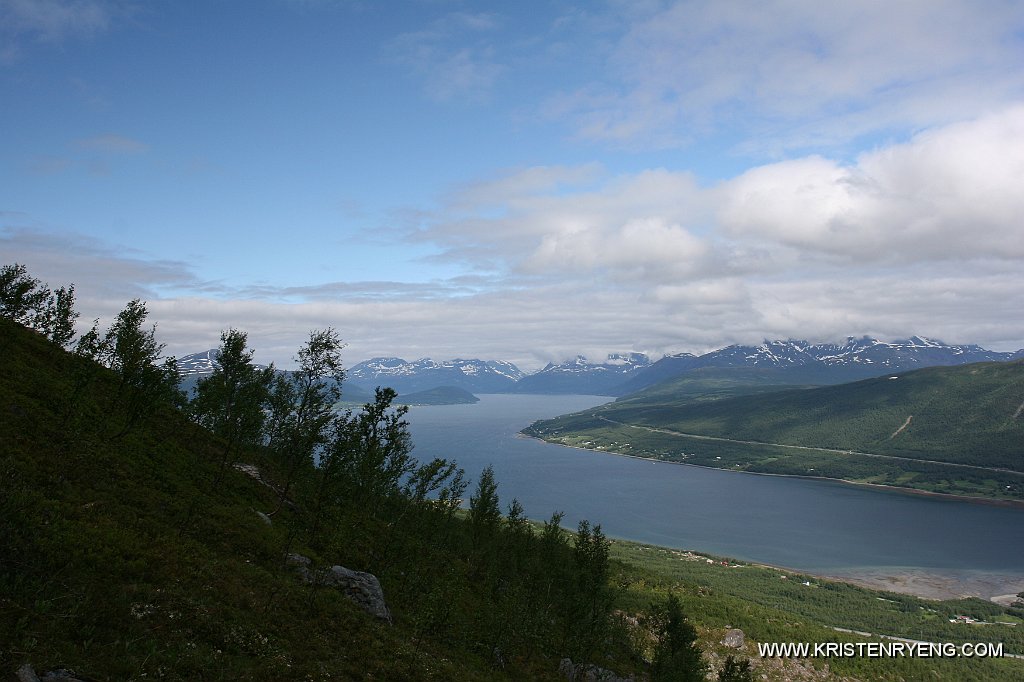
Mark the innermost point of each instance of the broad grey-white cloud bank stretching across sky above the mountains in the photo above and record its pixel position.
(918, 238)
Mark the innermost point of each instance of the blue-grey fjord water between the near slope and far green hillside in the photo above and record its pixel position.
(812, 526)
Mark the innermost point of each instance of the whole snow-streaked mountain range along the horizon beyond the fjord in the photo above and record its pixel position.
(773, 363)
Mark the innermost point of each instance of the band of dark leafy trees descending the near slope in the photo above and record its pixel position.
(350, 491)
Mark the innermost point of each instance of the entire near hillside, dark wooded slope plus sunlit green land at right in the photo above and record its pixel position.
(144, 535)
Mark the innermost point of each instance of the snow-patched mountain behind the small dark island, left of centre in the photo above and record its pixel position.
(473, 375)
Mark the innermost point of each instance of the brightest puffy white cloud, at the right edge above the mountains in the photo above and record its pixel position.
(949, 194)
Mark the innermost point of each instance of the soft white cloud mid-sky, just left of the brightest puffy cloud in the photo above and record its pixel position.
(562, 221)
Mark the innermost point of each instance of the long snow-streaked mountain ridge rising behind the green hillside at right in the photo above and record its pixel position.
(800, 362)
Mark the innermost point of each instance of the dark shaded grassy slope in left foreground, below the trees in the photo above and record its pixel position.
(121, 562)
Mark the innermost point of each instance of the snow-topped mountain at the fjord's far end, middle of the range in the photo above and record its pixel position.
(582, 376)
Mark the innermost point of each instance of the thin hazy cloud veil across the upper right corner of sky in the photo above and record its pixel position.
(788, 75)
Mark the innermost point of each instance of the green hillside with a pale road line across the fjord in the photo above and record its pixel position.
(916, 424)
